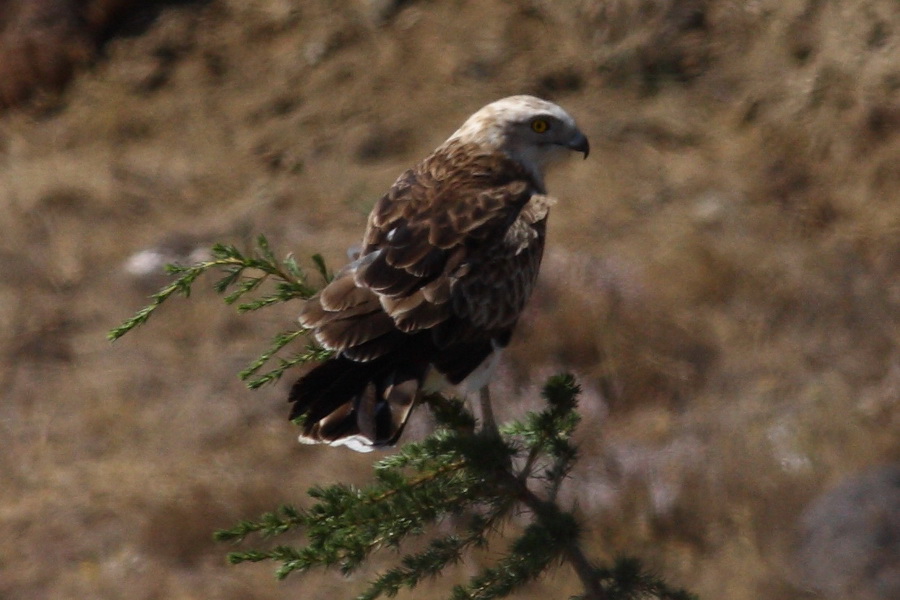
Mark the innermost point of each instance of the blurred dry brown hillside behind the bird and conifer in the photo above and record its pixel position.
(723, 274)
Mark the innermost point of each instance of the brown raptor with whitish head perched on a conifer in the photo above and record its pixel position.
(449, 258)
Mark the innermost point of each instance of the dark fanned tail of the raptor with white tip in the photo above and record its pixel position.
(356, 404)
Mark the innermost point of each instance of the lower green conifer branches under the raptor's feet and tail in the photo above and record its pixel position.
(456, 472)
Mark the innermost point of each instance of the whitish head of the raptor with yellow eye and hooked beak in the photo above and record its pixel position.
(528, 130)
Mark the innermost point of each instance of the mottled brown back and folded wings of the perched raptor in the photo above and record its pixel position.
(454, 254)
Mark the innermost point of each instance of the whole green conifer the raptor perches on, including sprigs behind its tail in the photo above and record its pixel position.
(456, 472)
